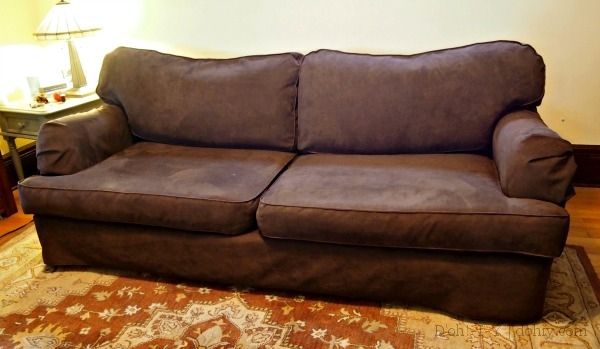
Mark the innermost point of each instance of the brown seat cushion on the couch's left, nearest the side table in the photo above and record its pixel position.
(180, 187)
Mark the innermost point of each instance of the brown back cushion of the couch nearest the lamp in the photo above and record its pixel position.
(246, 102)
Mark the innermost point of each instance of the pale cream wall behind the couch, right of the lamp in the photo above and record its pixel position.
(565, 33)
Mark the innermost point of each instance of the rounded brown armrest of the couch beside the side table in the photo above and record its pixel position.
(72, 143)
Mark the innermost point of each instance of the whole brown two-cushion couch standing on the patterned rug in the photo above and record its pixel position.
(428, 180)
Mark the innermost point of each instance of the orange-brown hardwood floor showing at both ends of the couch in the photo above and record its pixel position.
(584, 209)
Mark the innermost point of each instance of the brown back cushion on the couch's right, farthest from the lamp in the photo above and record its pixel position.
(440, 101)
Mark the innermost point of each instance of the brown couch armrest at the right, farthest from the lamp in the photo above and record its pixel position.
(532, 160)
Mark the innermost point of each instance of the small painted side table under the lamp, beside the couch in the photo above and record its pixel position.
(21, 121)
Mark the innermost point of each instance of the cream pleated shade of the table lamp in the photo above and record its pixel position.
(64, 22)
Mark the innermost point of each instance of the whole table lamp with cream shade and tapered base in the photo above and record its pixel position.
(62, 23)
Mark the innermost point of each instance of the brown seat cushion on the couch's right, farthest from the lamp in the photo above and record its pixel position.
(436, 201)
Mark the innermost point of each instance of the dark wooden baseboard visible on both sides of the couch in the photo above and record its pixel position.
(587, 158)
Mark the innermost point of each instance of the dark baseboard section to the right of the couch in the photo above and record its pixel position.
(587, 158)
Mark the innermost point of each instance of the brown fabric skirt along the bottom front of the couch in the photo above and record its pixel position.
(497, 287)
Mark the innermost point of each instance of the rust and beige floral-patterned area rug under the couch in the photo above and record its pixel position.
(92, 308)
